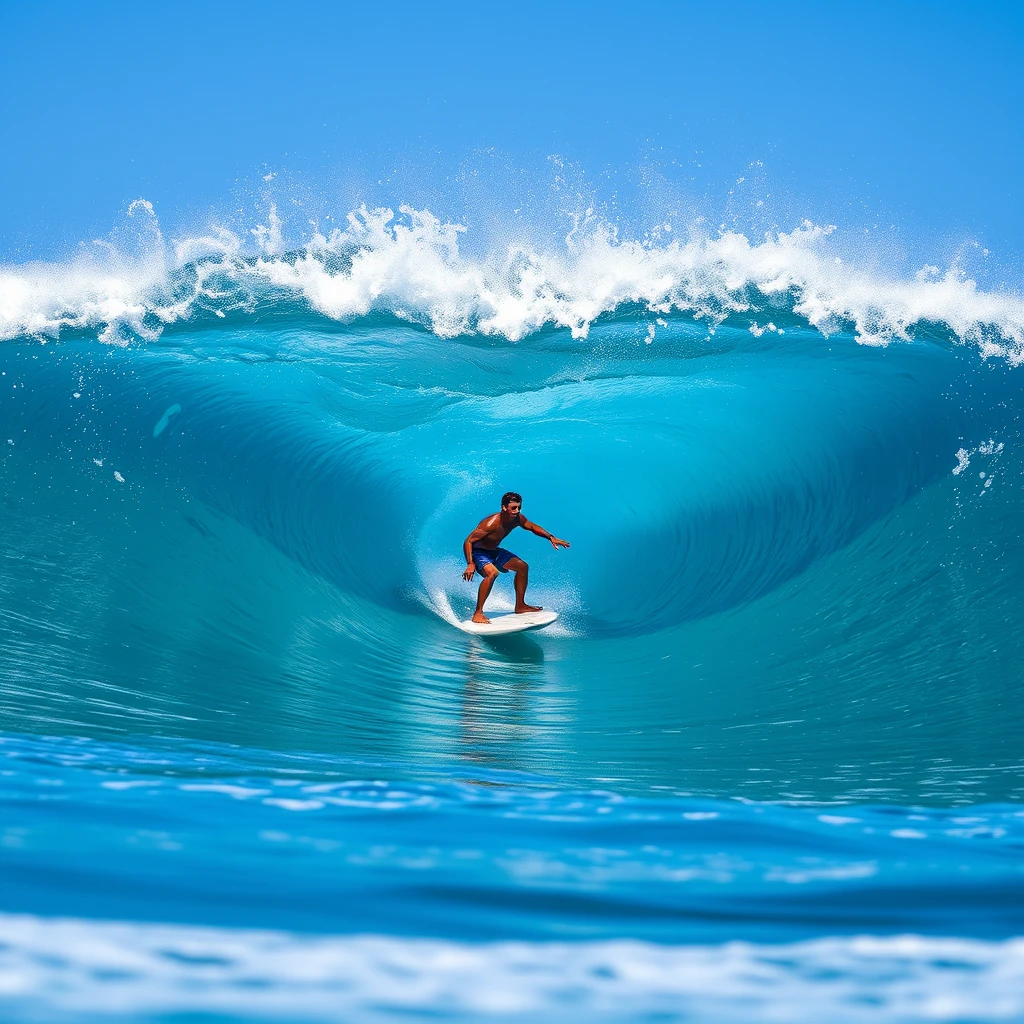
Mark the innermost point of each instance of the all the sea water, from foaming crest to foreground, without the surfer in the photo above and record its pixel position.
(767, 766)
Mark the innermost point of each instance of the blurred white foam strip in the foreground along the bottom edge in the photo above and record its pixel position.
(92, 970)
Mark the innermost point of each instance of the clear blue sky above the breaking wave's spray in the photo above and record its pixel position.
(908, 114)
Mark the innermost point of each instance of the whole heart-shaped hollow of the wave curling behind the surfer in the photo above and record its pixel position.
(685, 492)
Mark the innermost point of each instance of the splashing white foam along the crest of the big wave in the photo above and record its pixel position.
(412, 266)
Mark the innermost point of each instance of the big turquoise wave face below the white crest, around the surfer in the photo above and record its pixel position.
(761, 531)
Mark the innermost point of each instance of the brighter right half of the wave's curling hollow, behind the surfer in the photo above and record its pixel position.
(686, 497)
